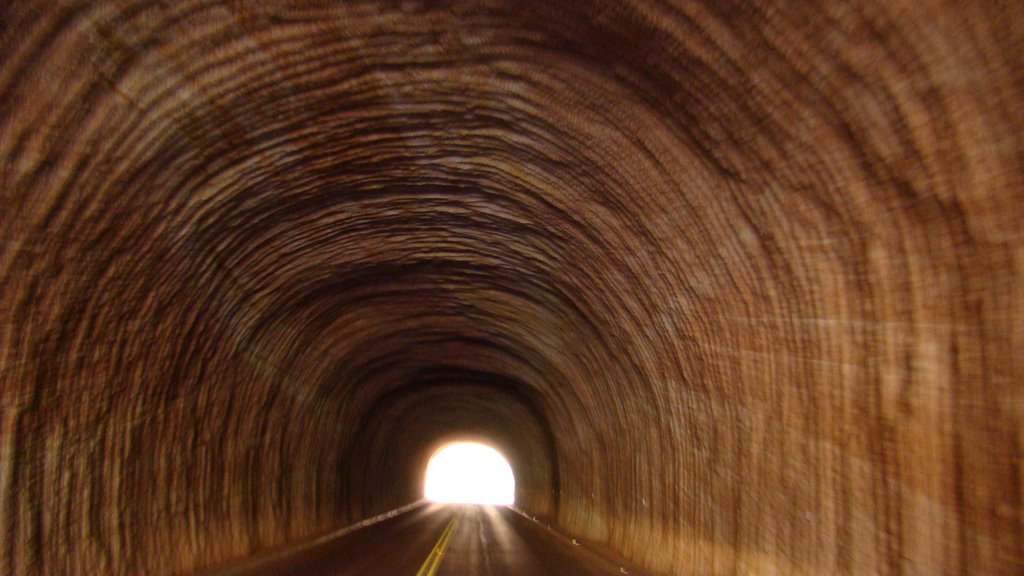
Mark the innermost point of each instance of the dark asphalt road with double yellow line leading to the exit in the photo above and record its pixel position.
(438, 541)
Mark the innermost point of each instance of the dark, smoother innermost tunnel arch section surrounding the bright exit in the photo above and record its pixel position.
(405, 428)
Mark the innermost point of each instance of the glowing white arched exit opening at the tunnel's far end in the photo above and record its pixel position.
(470, 473)
